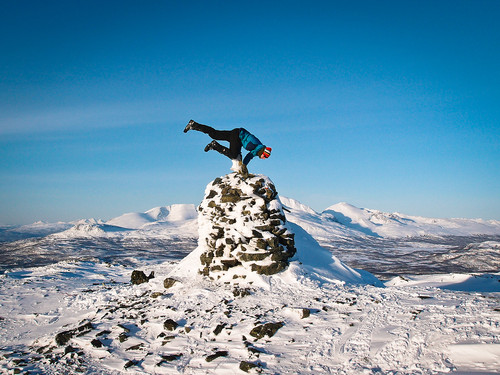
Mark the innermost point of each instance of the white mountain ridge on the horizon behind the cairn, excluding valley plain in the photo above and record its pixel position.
(339, 220)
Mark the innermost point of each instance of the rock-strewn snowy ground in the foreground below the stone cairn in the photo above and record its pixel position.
(408, 327)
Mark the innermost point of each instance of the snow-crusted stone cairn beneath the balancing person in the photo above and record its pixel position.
(242, 225)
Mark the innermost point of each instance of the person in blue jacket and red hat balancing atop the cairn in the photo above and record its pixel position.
(237, 139)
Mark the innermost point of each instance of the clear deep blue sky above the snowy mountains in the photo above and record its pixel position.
(391, 105)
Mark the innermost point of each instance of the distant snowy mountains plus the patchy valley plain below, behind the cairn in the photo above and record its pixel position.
(381, 243)
